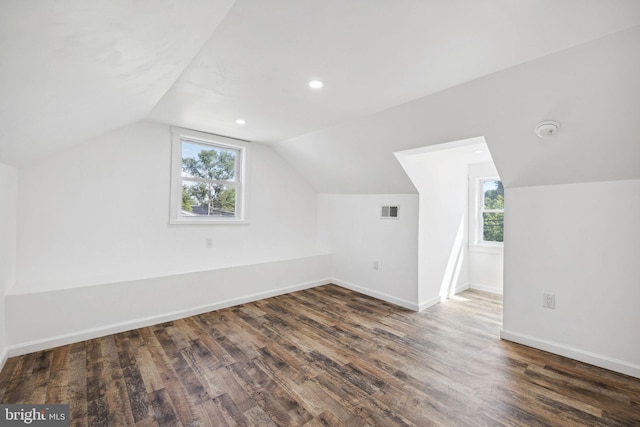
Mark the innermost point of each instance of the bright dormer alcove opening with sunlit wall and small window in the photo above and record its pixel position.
(452, 258)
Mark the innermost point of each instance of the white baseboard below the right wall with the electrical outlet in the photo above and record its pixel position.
(595, 359)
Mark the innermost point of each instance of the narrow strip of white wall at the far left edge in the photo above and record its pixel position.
(8, 199)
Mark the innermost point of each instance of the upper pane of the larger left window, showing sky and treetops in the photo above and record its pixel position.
(206, 161)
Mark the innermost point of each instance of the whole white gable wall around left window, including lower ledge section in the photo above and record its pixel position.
(96, 253)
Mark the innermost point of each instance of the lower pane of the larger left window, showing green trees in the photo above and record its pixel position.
(208, 199)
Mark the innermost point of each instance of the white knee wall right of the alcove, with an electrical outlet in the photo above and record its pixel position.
(580, 242)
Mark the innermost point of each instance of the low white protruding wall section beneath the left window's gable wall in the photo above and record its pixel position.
(47, 319)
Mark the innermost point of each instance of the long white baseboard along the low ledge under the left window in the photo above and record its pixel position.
(43, 344)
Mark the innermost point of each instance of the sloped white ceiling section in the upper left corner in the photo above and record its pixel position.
(73, 69)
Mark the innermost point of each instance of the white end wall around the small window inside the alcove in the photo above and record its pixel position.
(485, 262)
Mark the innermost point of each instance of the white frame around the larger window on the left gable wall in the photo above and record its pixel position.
(241, 176)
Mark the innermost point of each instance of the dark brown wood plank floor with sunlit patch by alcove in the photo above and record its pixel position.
(321, 357)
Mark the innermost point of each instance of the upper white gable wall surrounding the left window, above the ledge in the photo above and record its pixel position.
(99, 213)
